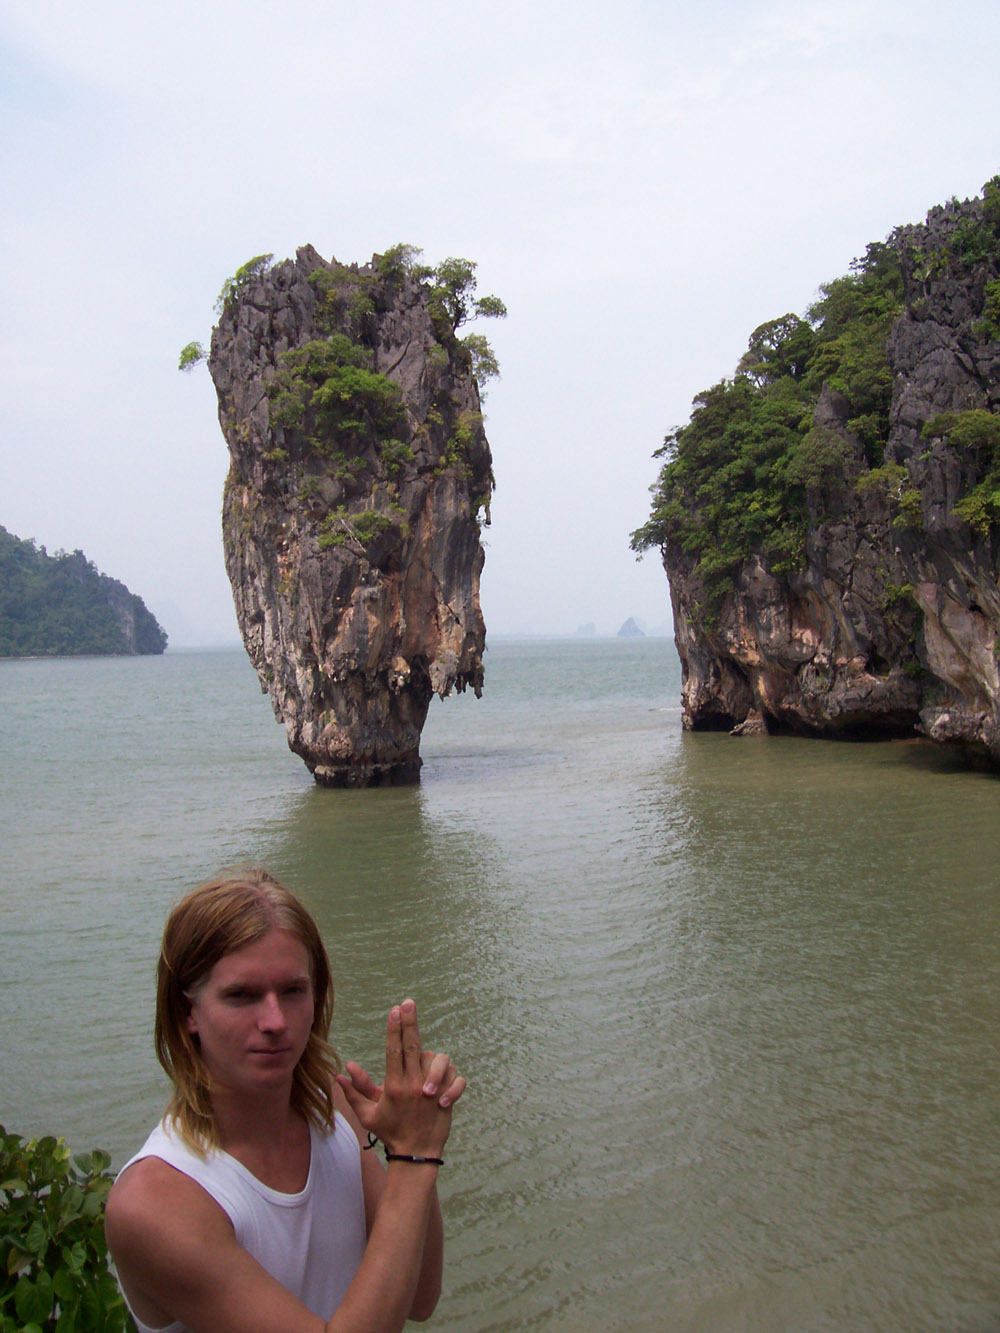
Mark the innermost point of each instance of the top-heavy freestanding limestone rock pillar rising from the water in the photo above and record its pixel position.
(359, 478)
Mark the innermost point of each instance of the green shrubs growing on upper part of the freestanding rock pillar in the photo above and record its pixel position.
(339, 430)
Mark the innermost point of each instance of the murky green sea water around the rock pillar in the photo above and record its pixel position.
(729, 1008)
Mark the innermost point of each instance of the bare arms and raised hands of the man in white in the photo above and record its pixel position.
(178, 1256)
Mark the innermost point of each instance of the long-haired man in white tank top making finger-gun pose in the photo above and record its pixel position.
(253, 1207)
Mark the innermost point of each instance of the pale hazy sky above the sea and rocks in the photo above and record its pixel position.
(642, 182)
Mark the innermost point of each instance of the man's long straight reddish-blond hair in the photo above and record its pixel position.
(211, 922)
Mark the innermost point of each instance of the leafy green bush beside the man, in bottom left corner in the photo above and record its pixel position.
(54, 1260)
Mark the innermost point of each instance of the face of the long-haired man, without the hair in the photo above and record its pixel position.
(253, 1014)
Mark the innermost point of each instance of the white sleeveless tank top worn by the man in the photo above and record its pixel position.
(311, 1242)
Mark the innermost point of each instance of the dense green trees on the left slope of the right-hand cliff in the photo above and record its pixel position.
(741, 477)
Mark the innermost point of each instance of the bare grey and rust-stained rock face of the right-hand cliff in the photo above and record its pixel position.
(891, 626)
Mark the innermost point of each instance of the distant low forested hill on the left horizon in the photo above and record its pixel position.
(62, 606)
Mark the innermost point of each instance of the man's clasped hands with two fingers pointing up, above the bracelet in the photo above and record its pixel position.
(411, 1111)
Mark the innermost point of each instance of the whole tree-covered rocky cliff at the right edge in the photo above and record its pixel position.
(830, 519)
